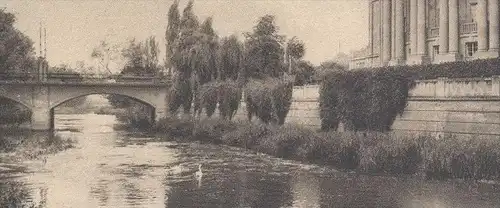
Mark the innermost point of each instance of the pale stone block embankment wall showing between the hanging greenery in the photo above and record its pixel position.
(462, 106)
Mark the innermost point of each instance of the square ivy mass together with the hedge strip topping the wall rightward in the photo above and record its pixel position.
(370, 99)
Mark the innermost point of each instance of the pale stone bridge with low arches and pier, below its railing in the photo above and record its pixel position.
(42, 97)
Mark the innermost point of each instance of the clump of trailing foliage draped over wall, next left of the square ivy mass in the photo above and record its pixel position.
(269, 99)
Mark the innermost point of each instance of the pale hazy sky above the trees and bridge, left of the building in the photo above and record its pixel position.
(75, 27)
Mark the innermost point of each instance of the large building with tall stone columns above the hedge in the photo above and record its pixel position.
(429, 31)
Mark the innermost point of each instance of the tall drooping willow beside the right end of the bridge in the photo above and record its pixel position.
(194, 58)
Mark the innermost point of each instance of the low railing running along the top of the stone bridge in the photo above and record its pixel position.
(24, 77)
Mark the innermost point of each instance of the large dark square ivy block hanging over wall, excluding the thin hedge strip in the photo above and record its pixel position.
(363, 100)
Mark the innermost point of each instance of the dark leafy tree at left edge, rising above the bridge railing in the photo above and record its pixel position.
(16, 49)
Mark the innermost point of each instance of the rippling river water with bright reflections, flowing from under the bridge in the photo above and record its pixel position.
(111, 168)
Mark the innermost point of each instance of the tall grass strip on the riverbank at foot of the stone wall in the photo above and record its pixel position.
(369, 152)
